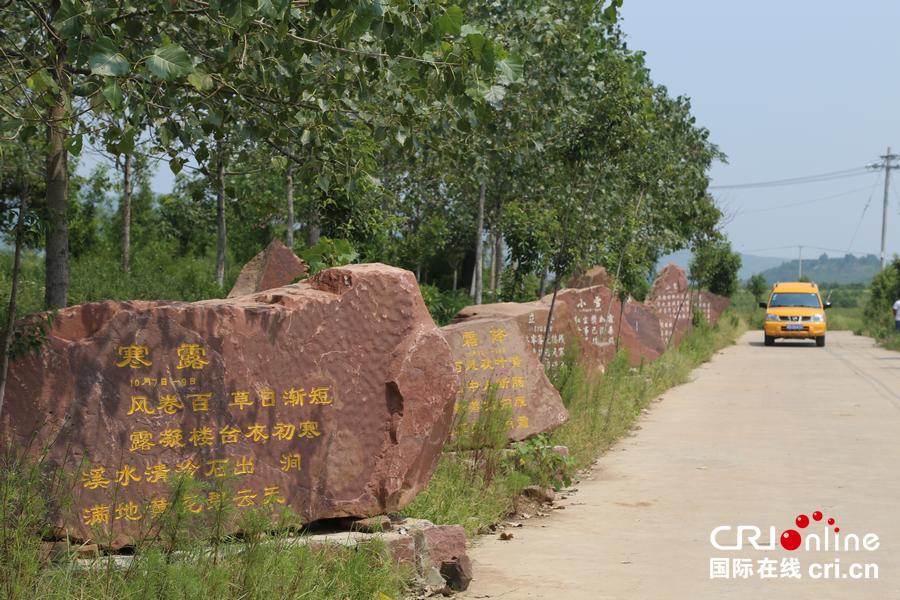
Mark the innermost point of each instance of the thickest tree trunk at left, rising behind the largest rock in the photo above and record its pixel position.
(56, 263)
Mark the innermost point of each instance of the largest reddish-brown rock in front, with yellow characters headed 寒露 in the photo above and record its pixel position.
(333, 396)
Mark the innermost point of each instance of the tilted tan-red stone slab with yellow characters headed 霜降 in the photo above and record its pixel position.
(493, 352)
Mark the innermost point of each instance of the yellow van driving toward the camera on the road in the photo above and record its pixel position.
(795, 310)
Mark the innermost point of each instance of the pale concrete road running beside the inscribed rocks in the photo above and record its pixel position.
(761, 436)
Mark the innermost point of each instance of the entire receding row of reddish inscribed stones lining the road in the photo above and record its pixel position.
(334, 395)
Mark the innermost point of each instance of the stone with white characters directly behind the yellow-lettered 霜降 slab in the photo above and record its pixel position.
(532, 320)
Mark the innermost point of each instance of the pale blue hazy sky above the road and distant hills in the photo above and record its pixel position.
(788, 89)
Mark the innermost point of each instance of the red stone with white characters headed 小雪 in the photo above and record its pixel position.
(639, 332)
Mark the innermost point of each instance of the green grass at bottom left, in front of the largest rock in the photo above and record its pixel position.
(180, 555)
